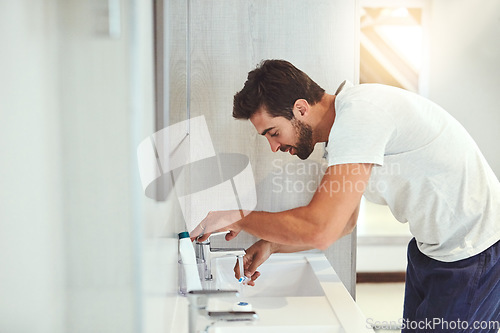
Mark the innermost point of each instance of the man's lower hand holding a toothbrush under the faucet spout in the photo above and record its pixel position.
(255, 256)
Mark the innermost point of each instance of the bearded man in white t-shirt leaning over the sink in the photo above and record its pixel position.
(395, 148)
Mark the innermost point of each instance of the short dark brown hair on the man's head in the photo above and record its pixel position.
(275, 85)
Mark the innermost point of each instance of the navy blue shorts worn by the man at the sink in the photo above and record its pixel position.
(460, 296)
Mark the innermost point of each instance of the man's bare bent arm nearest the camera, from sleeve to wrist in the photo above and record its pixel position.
(331, 214)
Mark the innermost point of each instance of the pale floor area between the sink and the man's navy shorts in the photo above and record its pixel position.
(382, 305)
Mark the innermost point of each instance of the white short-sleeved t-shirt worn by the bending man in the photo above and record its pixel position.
(427, 168)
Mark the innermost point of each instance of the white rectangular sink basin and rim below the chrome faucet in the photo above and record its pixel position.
(295, 293)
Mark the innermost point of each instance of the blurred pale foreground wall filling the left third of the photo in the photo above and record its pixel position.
(77, 98)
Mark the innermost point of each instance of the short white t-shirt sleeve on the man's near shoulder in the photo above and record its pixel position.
(360, 134)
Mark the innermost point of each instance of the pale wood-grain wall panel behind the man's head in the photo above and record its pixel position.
(227, 39)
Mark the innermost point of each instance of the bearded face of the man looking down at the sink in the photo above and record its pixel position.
(293, 136)
